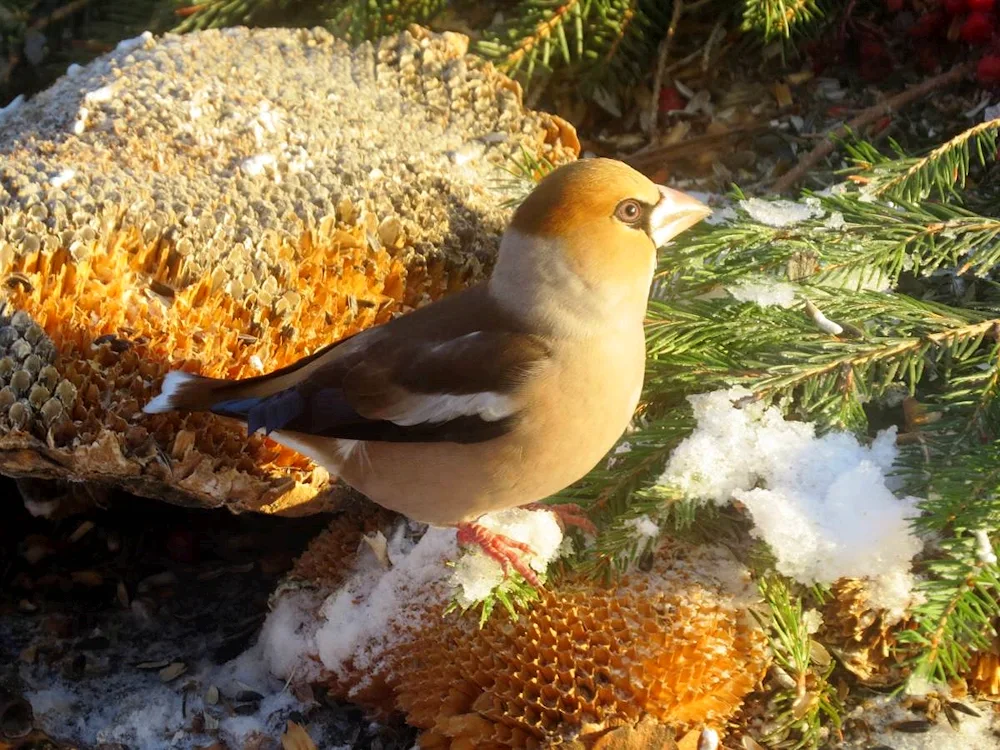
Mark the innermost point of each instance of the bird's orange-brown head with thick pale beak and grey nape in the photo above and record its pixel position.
(590, 230)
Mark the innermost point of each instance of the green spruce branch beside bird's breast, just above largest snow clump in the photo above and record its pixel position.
(697, 345)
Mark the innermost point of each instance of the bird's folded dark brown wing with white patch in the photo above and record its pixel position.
(463, 389)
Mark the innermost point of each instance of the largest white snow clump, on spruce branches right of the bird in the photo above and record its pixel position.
(821, 503)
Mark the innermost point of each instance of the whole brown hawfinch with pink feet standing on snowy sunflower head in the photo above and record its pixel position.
(490, 398)
